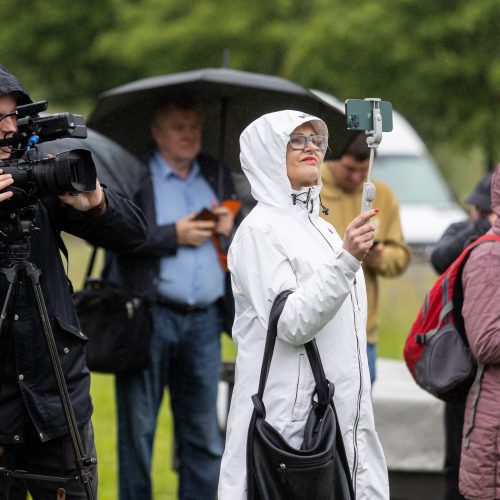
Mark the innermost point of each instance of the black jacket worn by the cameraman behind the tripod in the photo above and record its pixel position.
(29, 398)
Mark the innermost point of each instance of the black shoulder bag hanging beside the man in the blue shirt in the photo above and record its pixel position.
(118, 325)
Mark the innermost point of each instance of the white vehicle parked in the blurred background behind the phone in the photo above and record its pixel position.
(427, 204)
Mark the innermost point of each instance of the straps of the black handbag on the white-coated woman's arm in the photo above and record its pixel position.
(324, 388)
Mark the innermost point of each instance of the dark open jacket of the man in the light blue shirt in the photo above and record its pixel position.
(140, 269)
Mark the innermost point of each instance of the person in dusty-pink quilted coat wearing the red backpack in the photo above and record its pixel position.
(479, 476)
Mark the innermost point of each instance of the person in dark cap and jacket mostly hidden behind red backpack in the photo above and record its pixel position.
(456, 237)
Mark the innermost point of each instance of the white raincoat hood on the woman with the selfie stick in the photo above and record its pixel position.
(263, 157)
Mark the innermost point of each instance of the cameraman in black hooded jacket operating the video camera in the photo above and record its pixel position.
(34, 435)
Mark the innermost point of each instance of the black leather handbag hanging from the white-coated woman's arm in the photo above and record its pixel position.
(278, 471)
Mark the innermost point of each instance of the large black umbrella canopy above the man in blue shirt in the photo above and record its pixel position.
(231, 100)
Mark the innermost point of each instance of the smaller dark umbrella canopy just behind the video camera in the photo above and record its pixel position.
(116, 167)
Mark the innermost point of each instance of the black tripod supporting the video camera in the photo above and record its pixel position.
(16, 268)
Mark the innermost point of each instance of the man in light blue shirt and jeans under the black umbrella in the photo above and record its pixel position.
(180, 269)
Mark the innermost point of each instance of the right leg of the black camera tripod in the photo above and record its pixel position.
(83, 462)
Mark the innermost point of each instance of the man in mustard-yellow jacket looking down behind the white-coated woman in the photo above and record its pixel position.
(343, 180)
